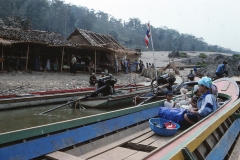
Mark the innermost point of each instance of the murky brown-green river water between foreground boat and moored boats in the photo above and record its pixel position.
(29, 117)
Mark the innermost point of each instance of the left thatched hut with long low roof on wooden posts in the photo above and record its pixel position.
(29, 44)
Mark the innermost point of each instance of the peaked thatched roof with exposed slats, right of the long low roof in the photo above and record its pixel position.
(95, 39)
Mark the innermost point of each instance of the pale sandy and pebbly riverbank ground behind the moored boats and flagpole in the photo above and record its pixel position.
(40, 81)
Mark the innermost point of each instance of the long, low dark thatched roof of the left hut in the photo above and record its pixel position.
(32, 36)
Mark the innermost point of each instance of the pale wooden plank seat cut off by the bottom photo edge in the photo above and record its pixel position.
(62, 156)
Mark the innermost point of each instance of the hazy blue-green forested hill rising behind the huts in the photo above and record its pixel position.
(57, 16)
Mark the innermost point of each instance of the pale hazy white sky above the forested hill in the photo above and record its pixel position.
(216, 21)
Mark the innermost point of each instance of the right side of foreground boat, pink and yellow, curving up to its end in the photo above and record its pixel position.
(195, 136)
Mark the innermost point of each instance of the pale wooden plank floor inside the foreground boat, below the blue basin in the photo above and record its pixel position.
(135, 142)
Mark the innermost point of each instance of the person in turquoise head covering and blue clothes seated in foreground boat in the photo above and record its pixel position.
(206, 104)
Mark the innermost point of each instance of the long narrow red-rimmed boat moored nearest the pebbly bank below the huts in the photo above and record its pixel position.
(57, 96)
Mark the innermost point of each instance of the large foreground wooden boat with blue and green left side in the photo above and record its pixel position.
(123, 134)
